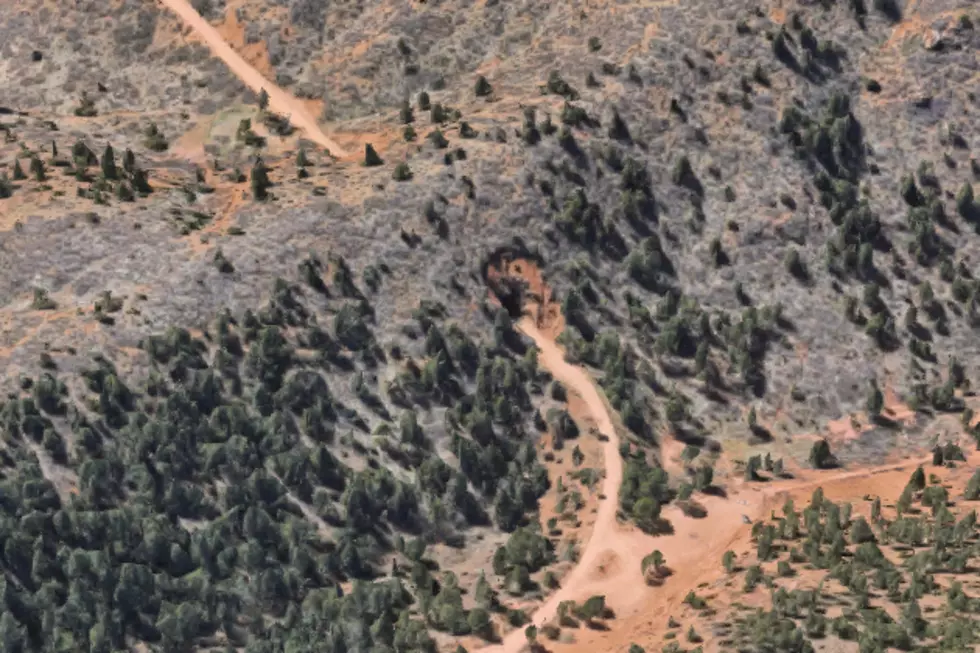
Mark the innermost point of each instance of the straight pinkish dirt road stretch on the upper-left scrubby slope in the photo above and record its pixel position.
(279, 101)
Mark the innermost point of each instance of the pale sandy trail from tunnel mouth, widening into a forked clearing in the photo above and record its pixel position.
(610, 561)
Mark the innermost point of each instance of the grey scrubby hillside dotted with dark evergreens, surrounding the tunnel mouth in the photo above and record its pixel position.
(243, 373)
